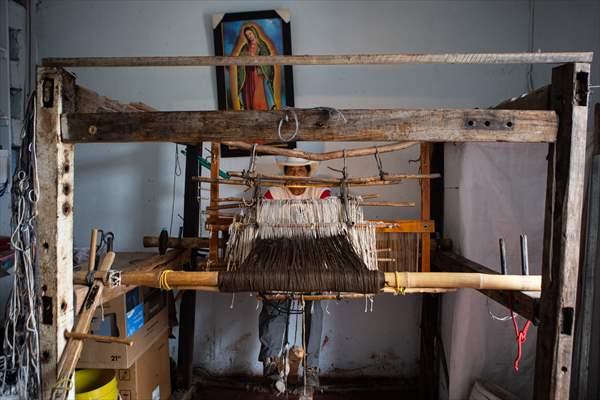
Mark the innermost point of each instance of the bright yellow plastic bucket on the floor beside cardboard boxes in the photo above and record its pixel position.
(96, 384)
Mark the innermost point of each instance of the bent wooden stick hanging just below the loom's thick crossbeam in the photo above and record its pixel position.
(332, 155)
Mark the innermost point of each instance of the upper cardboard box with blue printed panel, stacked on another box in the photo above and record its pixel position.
(139, 315)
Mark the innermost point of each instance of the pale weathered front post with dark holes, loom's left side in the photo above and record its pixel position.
(55, 167)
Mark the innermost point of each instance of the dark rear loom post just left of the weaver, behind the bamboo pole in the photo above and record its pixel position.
(187, 309)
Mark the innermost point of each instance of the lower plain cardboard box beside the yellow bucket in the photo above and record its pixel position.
(149, 378)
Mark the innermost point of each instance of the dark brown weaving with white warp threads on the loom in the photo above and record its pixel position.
(302, 246)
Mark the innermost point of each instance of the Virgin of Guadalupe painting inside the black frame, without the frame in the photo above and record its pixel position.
(254, 87)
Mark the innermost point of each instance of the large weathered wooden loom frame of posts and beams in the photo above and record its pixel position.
(564, 105)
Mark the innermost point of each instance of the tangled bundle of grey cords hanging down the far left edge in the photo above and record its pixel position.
(20, 361)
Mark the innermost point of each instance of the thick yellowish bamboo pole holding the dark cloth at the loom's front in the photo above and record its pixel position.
(192, 279)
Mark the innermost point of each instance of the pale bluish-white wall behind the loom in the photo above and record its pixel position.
(127, 188)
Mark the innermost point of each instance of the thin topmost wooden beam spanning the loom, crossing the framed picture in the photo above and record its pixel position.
(340, 59)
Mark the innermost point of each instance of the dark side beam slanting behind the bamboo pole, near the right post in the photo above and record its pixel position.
(522, 303)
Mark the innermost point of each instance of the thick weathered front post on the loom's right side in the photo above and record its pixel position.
(560, 262)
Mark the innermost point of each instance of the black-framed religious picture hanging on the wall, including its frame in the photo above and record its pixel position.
(263, 87)
